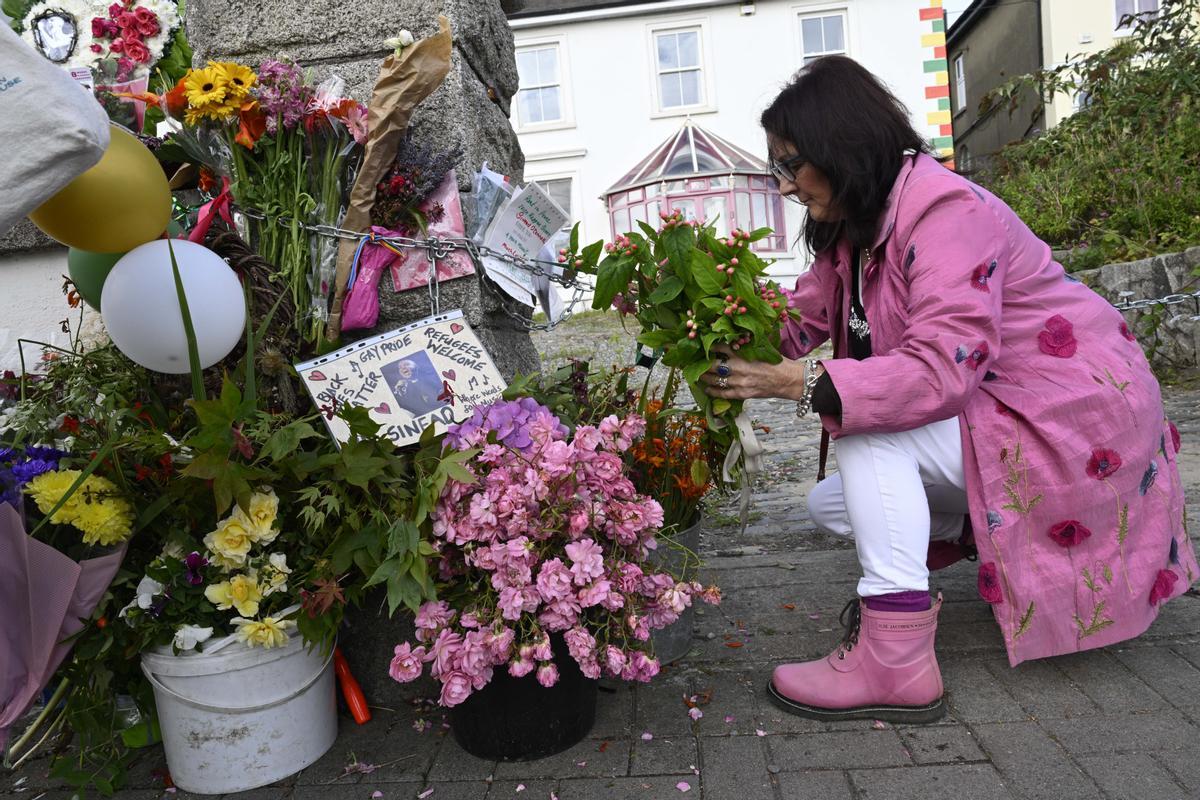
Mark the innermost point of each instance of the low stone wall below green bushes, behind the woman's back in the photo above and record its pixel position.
(1177, 342)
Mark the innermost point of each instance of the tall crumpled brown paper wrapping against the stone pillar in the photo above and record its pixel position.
(405, 81)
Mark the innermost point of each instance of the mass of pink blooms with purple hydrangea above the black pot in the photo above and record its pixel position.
(547, 534)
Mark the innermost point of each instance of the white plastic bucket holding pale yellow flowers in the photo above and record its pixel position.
(243, 718)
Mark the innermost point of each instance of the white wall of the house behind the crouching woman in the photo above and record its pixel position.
(609, 77)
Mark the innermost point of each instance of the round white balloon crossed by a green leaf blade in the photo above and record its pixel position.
(141, 308)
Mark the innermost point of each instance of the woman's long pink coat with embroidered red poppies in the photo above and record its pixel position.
(1071, 466)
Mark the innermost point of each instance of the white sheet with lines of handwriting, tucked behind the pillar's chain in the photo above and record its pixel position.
(521, 230)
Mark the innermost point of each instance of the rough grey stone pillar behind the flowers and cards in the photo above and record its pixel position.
(470, 111)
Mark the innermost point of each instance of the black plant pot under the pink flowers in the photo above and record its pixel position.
(520, 720)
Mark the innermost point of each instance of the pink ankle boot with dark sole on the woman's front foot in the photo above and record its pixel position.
(884, 670)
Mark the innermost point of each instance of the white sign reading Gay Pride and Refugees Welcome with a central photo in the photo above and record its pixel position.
(431, 372)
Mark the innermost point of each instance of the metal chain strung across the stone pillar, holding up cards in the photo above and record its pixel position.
(437, 249)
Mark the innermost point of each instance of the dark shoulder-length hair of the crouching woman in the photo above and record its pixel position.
(843, 121)
